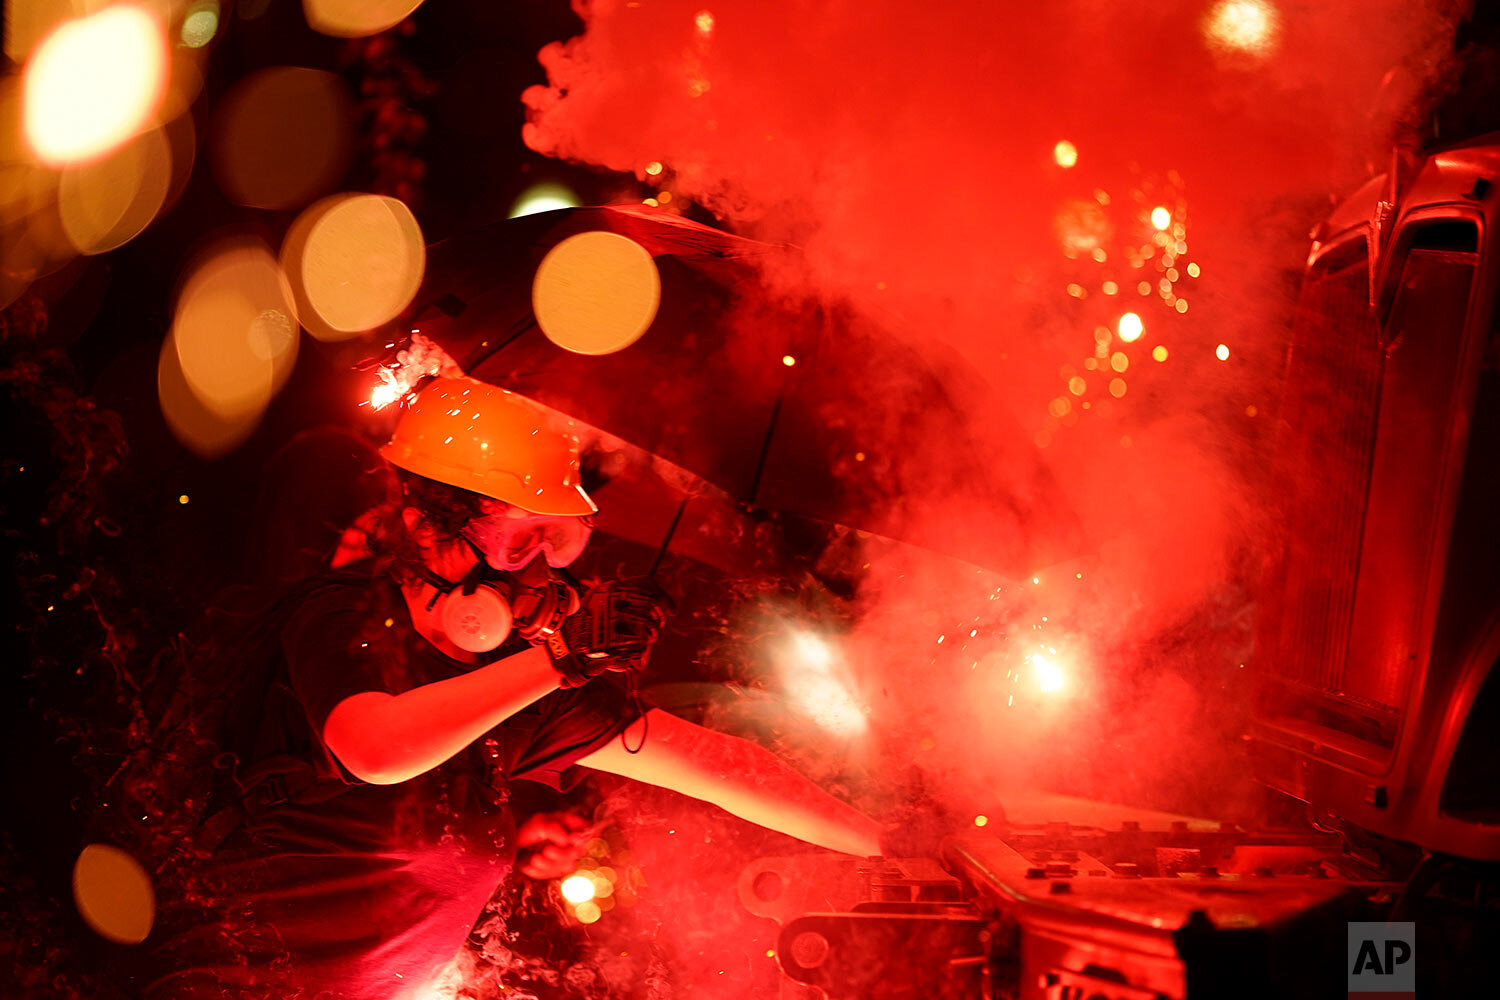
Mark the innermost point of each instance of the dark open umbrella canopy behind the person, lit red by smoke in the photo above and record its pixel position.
(782, 403)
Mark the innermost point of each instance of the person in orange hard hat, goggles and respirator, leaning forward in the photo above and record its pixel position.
(442, 657)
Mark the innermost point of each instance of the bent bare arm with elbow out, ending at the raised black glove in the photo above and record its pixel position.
(389, 738)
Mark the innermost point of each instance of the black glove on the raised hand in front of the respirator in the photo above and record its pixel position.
(613, 630)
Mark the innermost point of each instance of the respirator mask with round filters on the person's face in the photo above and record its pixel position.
(479, 612)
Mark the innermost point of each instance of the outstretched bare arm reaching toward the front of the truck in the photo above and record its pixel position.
(739, 777)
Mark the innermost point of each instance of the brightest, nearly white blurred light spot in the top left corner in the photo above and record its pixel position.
(94, 83)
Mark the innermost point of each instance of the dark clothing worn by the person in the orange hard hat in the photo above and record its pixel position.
(355, 891)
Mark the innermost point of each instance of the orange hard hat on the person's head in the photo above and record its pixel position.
(490, 442)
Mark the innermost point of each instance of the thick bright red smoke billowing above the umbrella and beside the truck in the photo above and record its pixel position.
(910, 149)
